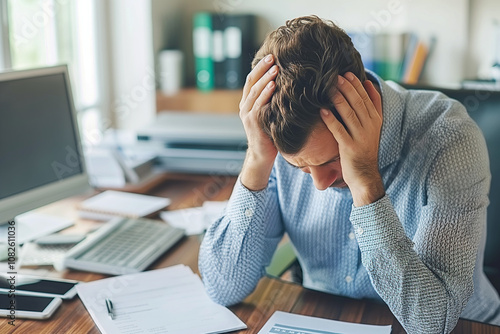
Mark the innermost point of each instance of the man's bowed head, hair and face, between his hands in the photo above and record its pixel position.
(310, 53)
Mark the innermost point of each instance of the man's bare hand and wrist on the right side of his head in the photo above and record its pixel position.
(360, 107)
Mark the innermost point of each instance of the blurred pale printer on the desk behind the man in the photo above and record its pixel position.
(197, 142)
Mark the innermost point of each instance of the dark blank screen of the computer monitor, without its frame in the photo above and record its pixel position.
(36, 134)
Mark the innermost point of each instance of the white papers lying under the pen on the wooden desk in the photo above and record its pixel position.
(171, 300)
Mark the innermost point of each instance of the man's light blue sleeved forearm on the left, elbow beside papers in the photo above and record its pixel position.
(236, 246)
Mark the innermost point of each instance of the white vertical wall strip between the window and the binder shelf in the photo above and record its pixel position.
(131, 63)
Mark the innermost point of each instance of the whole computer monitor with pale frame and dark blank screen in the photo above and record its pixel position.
(41, 158)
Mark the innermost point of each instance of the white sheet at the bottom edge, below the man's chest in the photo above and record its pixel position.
(288, 323)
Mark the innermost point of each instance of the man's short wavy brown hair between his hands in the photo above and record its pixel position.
(310, 53)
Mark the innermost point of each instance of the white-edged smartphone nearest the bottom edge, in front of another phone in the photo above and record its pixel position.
(28, 307)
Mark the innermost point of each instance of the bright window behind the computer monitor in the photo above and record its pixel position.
(50, 32)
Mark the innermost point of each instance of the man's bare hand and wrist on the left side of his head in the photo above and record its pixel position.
(257, 92)
